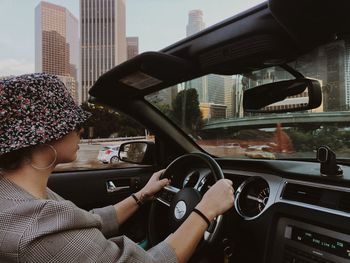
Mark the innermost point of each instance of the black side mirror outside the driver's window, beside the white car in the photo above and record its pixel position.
(137, 152)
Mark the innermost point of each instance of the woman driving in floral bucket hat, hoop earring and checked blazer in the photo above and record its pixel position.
(40, 128)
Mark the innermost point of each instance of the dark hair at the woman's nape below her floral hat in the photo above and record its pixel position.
(13, 160)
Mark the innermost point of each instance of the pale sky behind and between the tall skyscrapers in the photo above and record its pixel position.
(157, 23)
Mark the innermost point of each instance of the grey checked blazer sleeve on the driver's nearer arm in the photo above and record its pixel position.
(64, 233)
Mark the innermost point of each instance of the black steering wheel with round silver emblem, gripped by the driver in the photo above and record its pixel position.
(178, 201)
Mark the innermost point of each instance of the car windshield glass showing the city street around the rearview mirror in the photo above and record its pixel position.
(209, 109)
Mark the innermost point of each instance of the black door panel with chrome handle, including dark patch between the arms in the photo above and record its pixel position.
(88, 190)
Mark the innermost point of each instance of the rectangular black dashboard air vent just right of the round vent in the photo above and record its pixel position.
(302, 193)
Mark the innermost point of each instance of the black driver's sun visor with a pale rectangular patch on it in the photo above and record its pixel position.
(143, 74)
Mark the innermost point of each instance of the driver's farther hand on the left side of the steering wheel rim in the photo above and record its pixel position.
(153, 186)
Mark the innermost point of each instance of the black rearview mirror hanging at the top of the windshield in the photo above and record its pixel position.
(283, 96)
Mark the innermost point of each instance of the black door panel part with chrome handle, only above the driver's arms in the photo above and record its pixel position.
(88, 189)
